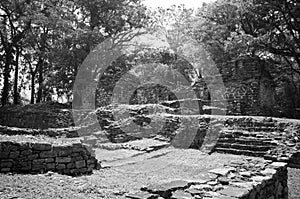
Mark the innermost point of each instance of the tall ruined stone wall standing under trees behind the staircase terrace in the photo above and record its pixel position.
(249, 87)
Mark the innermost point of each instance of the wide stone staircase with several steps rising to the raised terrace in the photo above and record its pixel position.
(252, 138)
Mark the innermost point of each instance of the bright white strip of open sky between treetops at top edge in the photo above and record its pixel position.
(168, 3)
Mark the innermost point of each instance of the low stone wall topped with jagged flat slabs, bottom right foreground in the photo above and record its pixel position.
(245, 179)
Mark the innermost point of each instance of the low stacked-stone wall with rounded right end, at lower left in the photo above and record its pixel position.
(27, 157)
